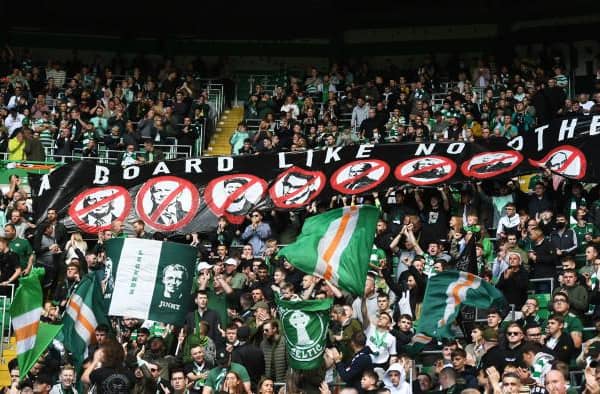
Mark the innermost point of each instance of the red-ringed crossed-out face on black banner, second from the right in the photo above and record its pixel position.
(490, 164)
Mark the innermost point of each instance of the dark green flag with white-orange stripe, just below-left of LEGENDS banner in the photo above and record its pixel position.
(85, 311)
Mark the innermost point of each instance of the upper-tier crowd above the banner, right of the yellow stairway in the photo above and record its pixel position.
(346, 107)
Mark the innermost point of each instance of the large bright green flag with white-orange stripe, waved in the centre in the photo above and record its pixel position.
(336, 246)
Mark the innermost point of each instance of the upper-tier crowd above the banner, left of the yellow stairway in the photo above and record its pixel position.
(78, 109)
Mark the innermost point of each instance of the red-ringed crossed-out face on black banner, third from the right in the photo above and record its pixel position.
(426, 170)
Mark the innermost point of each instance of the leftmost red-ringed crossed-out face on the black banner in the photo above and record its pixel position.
(95, 209)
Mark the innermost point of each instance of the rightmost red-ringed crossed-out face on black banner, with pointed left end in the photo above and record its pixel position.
(564, 160)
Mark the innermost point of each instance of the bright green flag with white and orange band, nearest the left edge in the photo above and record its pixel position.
(33, 337)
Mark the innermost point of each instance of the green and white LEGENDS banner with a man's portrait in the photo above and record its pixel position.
(151, 279)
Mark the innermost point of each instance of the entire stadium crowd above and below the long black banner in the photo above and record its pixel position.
(539, 243)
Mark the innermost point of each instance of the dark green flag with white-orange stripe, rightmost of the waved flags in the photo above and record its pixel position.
(444, 295)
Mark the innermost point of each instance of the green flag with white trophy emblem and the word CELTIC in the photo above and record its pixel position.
(305, 326)
